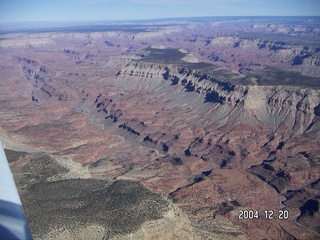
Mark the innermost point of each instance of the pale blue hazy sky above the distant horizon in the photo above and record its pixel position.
(79, 10)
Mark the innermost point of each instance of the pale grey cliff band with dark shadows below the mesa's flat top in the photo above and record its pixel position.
(272, 106)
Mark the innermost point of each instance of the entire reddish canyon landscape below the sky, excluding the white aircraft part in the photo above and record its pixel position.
(201, 128)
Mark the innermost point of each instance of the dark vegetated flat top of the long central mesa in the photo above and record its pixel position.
(269, 76)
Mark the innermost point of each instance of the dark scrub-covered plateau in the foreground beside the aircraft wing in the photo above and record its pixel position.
(122, 206)
